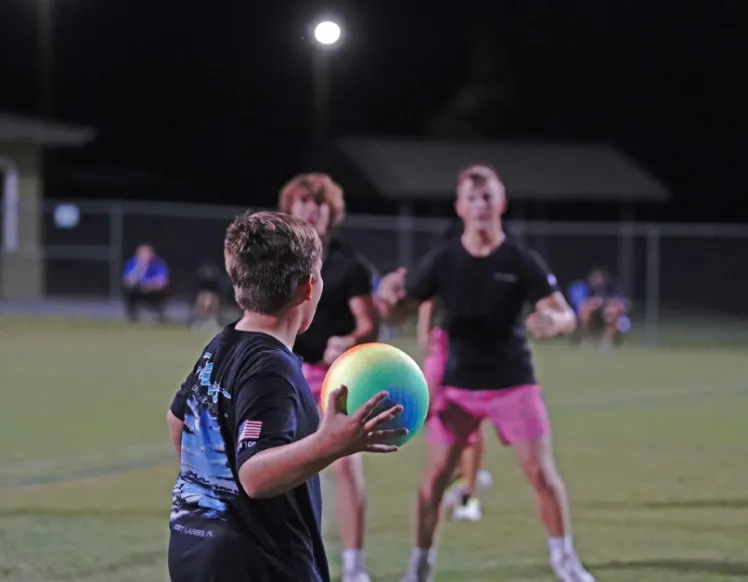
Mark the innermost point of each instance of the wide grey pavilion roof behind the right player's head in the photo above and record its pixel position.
(427, 170)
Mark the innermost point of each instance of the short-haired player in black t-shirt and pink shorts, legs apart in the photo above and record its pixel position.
(484, 282)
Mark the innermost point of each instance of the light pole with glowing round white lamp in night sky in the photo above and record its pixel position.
(327, 35)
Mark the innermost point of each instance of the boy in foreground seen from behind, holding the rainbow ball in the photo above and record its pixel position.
(247, 504)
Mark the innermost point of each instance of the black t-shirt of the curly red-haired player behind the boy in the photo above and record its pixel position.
(345, 276)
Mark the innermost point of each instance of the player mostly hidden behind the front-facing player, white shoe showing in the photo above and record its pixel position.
(470, 478)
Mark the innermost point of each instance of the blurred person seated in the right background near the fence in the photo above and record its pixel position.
(600, 303)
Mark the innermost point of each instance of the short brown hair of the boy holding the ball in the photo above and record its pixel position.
(268, 257)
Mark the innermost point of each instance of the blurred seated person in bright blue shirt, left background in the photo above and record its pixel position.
(145, 281)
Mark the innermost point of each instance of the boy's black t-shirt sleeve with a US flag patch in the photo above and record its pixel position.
(266, 415)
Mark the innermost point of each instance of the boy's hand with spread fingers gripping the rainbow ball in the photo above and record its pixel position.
(360, 431)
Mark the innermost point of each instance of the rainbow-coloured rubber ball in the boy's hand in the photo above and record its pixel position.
(370, 368)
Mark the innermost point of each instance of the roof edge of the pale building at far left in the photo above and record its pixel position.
(27, 130)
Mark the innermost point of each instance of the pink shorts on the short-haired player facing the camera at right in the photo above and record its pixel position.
(518, 414)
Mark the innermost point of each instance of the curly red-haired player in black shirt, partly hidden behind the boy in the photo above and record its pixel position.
(346, 316)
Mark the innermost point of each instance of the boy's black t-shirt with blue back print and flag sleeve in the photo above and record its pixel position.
(247, 394)
